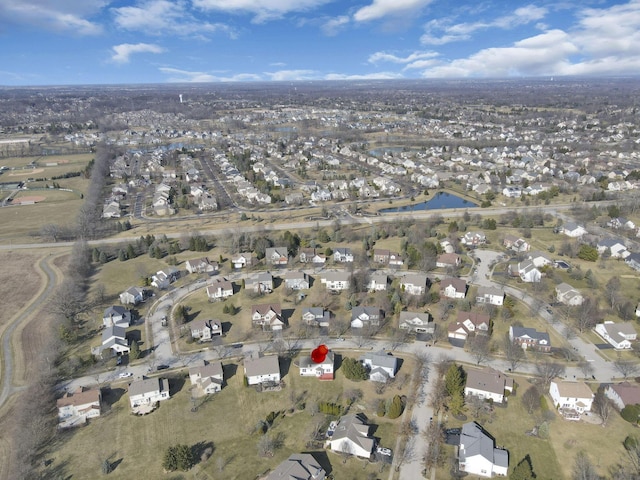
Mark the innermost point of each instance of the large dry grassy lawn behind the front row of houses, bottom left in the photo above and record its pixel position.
(226, 420)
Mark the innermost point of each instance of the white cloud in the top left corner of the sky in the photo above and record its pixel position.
(69, 15)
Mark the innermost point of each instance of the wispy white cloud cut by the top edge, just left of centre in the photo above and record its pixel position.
(262, 9)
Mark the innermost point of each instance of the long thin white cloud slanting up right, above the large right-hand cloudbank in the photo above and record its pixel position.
(462, 31)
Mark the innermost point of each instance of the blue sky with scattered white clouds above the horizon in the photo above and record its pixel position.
(78, 42)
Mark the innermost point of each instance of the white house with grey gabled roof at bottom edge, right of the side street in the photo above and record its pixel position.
(478, 455)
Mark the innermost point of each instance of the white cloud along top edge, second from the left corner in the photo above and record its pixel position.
(160, 17)
